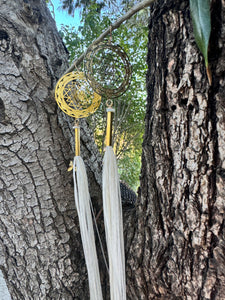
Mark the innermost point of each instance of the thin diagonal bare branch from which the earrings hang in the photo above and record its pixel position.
(115, 25)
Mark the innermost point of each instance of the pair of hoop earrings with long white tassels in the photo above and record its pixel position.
(107, 70)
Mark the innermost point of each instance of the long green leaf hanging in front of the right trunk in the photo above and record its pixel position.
(200, 14)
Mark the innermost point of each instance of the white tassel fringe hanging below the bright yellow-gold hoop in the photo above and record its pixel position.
(82, 200)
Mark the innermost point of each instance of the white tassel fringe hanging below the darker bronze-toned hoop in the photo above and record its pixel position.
(112, 208)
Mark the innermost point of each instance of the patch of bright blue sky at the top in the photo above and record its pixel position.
(62, 17)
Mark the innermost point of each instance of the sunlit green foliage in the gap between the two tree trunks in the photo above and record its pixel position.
(130, 107)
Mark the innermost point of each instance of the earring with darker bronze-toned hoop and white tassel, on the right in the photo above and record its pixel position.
(108, 70)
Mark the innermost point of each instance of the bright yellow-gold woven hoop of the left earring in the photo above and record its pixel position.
(75, 97)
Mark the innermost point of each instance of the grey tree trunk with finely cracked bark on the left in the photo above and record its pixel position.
(40, 251)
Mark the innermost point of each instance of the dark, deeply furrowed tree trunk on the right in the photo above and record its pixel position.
(178, 251)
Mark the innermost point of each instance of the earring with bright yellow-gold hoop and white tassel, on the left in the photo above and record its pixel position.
(75, 97)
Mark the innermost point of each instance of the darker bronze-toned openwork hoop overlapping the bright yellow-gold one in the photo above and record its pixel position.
(107, 69)
